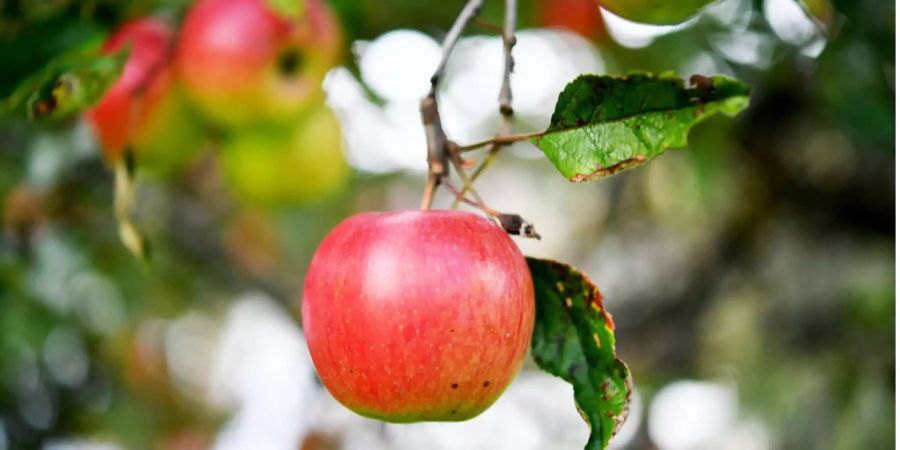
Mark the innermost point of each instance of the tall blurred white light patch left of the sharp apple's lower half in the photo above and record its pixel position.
(262, 368)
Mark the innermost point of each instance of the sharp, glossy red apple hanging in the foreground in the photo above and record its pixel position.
(418, 315)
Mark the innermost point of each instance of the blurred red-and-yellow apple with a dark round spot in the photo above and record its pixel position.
(243, 63)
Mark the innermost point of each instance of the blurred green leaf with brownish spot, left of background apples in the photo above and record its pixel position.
(67, 85)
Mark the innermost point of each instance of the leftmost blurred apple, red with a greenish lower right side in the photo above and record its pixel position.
(144, 109)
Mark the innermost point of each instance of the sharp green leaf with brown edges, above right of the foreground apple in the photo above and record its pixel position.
(606, 124)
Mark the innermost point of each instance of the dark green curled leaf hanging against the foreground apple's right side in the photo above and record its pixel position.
(573, 339)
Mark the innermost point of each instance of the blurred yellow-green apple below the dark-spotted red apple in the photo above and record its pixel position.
(284, 165)
